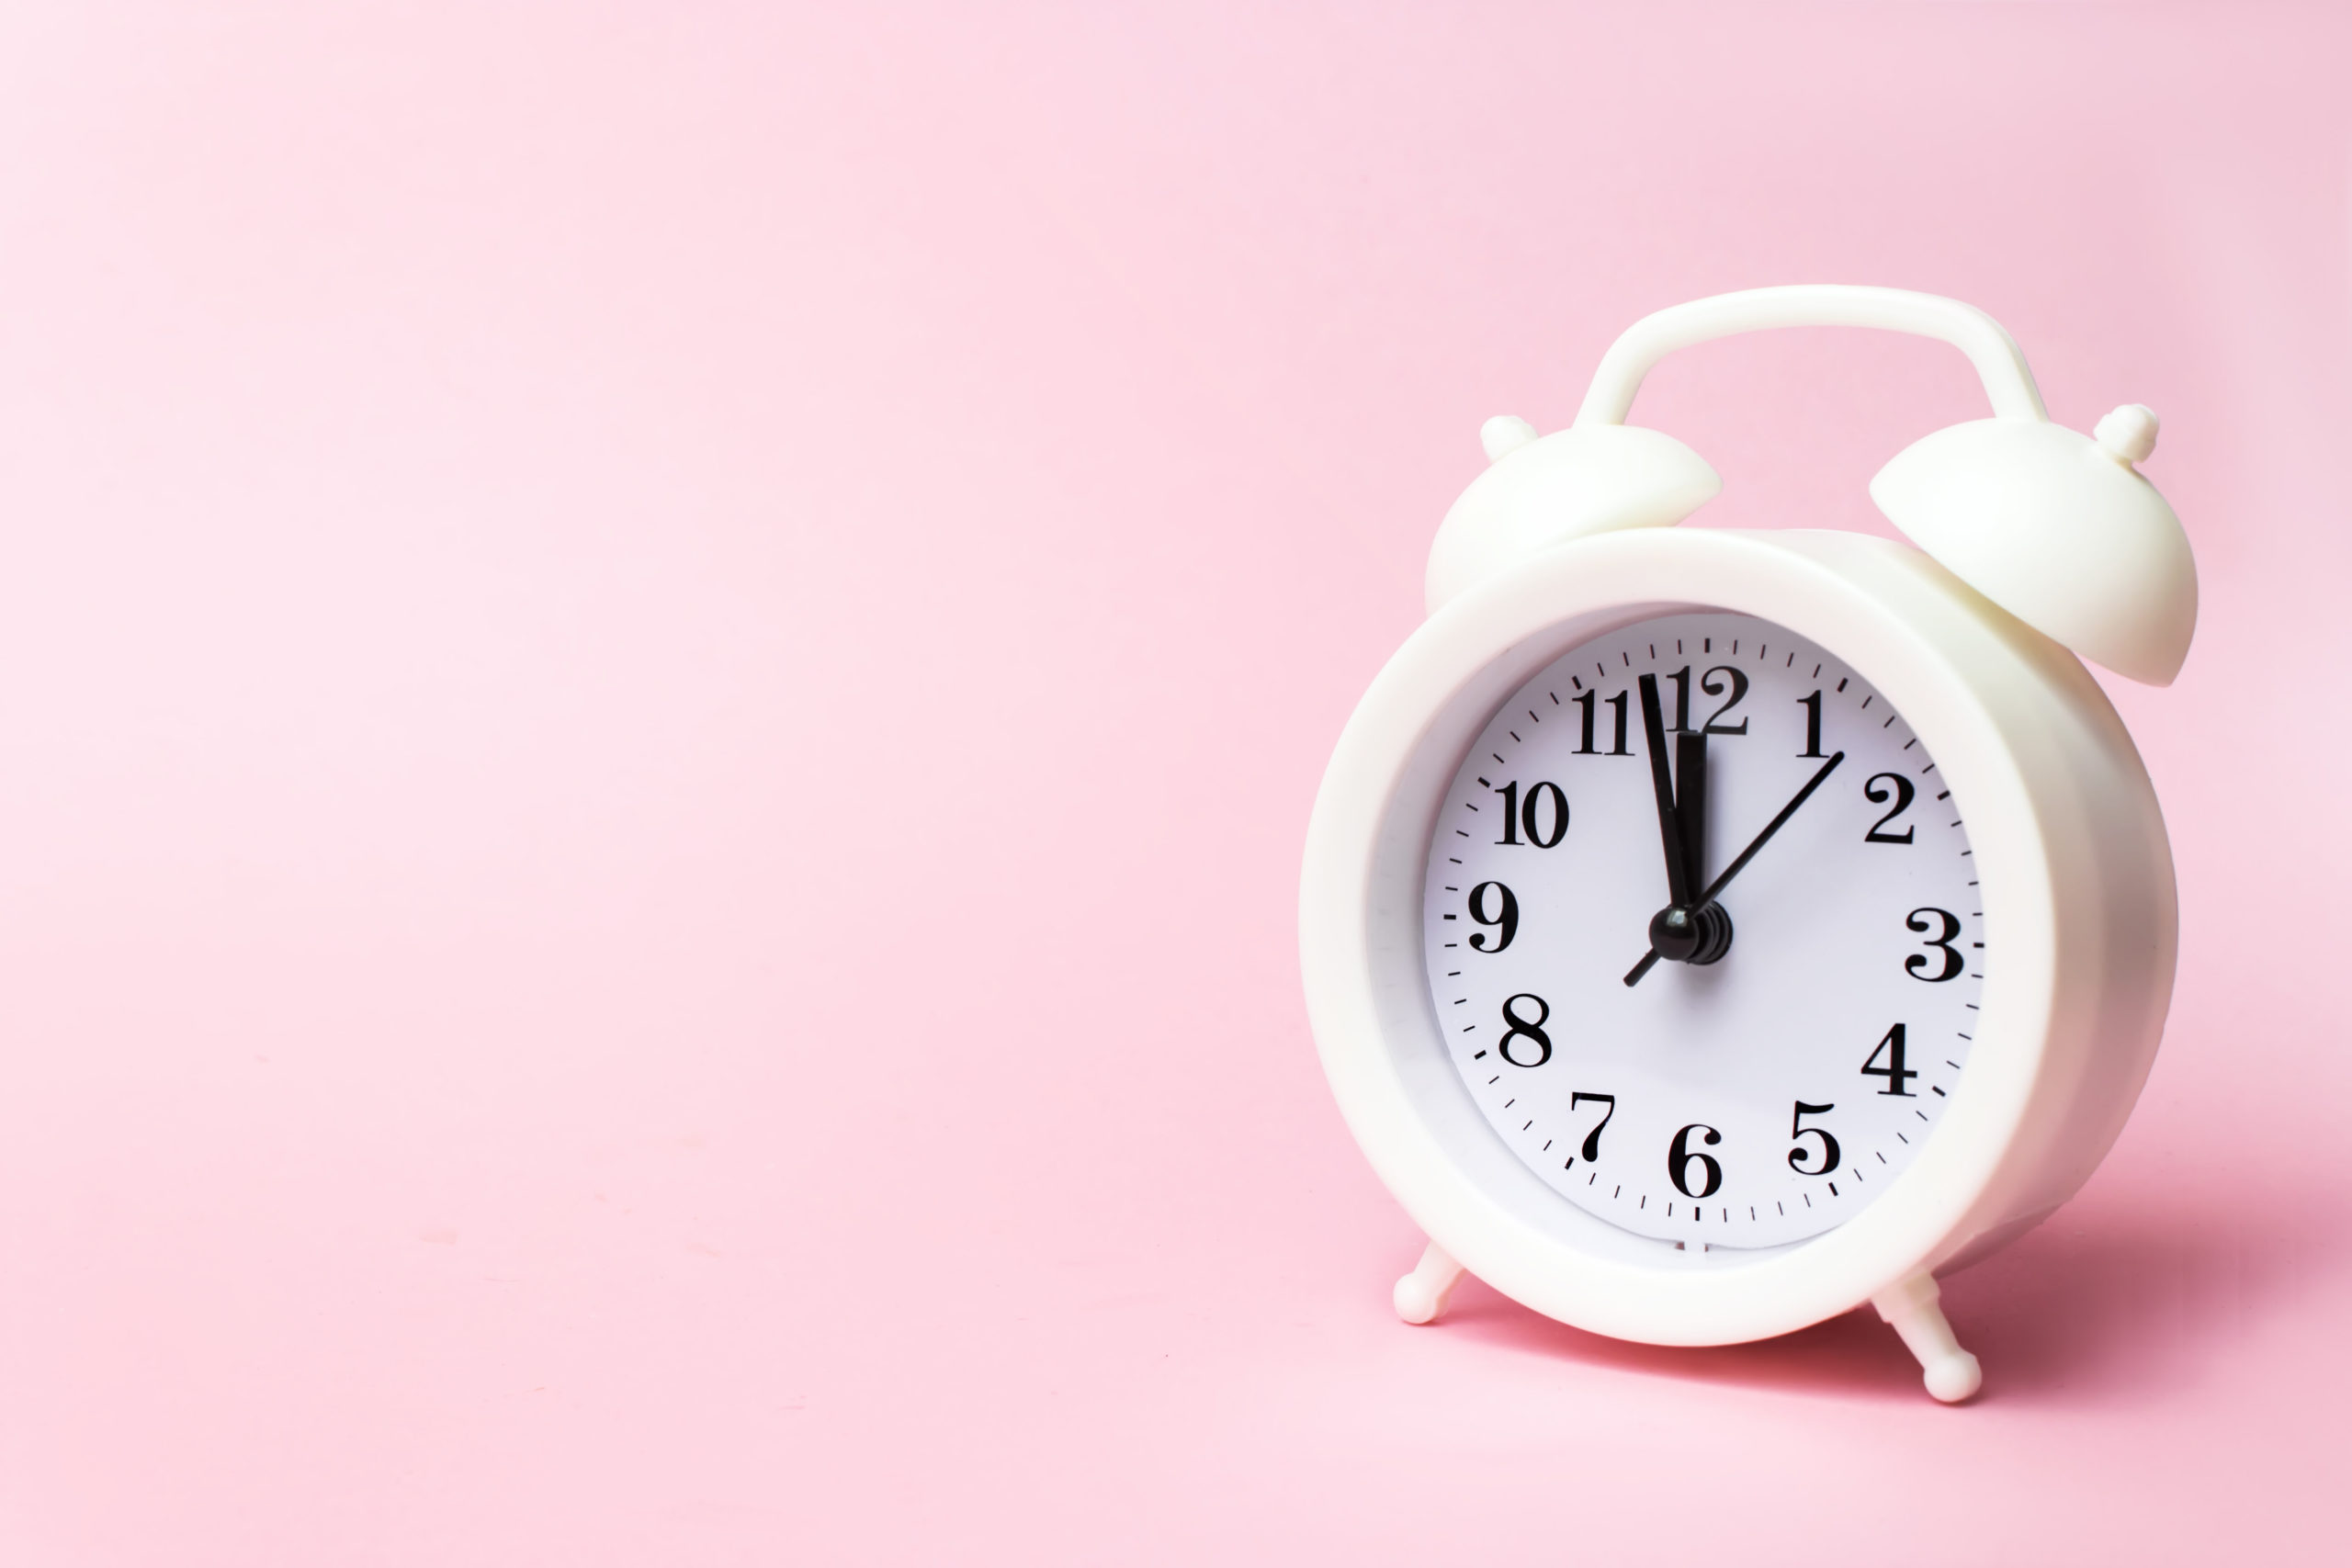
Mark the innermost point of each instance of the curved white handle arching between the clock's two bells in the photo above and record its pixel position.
(1996, 356)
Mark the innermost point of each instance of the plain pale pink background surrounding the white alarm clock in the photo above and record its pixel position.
(660, 678)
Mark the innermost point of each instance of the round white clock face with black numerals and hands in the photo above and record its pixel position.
(1763, 1097)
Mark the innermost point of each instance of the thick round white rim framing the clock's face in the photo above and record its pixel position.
(1419, 718)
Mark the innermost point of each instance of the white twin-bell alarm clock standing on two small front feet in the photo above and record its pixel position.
(1709, 932)
